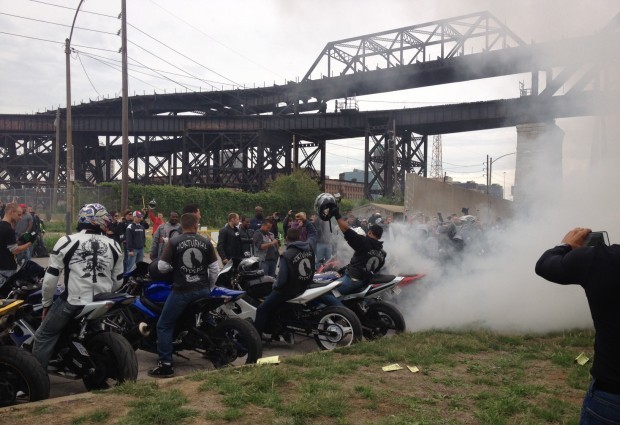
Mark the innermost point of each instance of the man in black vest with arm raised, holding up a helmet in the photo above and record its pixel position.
(368, 258)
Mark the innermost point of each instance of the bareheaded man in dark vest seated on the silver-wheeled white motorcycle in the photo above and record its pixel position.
(295, 274)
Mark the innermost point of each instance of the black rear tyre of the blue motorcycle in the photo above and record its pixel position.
(238, 341)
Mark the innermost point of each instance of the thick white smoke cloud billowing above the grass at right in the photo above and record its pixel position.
(498, 289)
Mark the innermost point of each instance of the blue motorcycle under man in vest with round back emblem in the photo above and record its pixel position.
(219, 339)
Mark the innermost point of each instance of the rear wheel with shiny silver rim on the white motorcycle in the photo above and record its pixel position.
(337, 327)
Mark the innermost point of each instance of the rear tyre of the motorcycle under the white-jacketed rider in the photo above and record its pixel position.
(115, 361)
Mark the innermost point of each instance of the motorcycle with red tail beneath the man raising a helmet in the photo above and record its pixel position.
(378, 317)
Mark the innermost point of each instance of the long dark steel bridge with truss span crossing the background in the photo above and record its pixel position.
(243, 138)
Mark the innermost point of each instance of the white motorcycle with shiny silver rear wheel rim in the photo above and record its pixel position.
(331, 327)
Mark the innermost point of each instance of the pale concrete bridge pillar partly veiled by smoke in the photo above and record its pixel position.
(538, 173)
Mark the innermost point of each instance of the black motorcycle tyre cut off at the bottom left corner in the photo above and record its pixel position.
(22, 378)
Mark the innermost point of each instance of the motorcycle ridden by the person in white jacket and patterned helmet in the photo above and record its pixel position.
(85, 350)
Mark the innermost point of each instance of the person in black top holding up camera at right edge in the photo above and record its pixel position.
(597, 269)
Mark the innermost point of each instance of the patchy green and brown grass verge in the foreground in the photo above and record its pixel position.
(471, 376)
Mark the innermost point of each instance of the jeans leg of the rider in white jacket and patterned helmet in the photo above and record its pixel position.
(46, 337)
